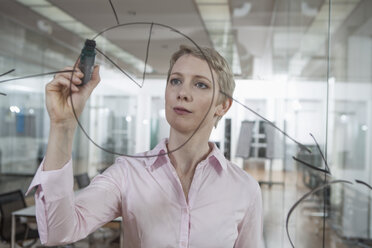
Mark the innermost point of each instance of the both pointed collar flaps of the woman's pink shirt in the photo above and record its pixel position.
(159, 156)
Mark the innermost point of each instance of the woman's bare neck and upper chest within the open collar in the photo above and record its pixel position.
(188, 155)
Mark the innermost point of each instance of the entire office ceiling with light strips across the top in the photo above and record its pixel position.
(271, 36)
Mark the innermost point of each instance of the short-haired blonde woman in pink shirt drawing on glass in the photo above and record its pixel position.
(180, 194)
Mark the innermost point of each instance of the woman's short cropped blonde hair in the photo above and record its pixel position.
(225, 77)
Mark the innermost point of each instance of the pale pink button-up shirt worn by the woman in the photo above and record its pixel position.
(224, 207)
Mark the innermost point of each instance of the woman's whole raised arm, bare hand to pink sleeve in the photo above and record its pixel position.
(63, 217)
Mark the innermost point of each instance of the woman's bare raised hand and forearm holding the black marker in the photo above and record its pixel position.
(62, 119)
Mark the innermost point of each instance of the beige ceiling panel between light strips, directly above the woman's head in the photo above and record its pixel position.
(179, 14)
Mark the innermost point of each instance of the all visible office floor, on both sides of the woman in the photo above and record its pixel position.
(305, 224)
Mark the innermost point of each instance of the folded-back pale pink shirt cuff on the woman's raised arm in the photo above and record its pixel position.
(55, 184)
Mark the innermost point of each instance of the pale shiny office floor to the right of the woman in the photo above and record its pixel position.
(306, 222)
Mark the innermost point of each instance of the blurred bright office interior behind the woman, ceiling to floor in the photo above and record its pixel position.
(305, 65)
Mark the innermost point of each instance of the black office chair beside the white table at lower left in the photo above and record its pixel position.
(10, 202)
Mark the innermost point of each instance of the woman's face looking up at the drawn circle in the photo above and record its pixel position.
(189, 94)
